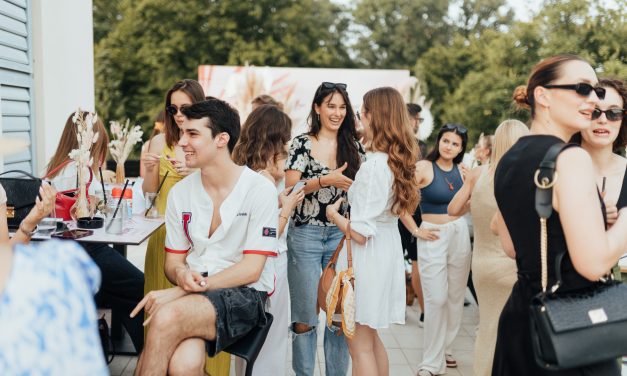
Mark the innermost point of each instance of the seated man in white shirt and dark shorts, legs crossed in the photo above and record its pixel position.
(221, 227)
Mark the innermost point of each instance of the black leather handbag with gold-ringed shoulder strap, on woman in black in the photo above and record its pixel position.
(579, 328)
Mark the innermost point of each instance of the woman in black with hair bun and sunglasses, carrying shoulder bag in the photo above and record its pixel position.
(562, 93)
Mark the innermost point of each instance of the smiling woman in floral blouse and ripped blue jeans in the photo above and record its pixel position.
(326, 158)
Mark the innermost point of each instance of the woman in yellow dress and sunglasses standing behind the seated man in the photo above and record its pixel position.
(164, 156)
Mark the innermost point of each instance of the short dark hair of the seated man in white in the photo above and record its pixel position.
(220, 115)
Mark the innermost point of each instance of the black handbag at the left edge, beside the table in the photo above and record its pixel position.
(21, 195)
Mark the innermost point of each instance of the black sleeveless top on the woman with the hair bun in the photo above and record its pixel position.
(514, 190)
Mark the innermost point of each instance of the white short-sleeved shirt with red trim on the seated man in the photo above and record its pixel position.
(249, 225)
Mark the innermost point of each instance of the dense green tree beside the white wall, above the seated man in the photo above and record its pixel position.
(155, 43)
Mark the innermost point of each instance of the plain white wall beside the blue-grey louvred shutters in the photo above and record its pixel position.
(63, 57)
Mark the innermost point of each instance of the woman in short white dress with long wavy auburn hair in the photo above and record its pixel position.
(384, 189)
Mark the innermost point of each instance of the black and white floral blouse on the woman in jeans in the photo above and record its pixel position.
(312, 210)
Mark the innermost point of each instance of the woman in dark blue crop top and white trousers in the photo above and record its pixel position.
(443, 246)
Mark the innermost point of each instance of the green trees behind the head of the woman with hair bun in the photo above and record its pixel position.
(471, 79)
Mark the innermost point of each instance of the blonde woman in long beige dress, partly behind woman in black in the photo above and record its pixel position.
(493, 273)
